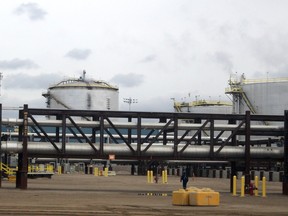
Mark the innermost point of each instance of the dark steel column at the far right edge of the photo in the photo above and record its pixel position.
(285, 176)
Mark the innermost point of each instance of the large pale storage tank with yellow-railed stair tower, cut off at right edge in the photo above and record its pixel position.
(260, 96)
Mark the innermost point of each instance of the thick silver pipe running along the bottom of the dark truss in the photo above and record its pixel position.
(155, 150)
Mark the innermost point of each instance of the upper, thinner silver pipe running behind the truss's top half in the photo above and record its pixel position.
(133, 125)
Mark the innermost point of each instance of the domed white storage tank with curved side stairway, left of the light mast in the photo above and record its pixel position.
(82, 94)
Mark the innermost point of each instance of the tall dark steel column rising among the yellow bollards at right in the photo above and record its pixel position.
(247, 151)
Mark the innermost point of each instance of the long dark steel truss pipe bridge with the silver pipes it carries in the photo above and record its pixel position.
(145, 136)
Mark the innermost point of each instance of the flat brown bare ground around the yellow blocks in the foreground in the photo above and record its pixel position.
(123, 194)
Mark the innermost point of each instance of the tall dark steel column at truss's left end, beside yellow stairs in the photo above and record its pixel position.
(21, 178)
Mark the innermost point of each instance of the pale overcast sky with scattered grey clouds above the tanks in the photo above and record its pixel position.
(153, 50)
